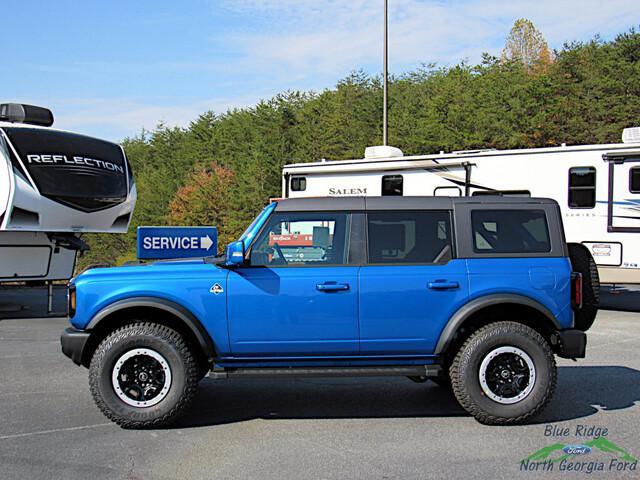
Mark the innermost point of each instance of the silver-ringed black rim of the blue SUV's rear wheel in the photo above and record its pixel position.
(520, 387)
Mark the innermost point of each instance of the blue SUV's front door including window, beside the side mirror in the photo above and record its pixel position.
(298, 297)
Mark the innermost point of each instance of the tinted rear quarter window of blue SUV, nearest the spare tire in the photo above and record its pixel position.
(510, 231)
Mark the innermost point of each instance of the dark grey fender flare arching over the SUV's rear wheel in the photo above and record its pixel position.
(468, 309)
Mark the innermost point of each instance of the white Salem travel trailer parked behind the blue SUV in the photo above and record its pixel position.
(597, 187)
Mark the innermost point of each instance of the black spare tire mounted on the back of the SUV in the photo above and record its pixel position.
(582, 262)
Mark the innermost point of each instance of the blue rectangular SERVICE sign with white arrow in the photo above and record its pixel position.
(177, 242)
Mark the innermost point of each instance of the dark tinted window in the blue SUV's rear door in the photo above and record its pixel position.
(409, 237)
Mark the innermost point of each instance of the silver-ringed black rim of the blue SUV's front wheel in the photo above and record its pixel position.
(152, 383)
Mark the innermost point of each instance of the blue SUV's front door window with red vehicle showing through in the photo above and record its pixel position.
(303, 239)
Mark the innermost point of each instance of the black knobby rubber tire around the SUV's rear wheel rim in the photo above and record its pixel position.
(465, 373)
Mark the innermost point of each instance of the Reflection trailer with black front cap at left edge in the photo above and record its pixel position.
(55, 186)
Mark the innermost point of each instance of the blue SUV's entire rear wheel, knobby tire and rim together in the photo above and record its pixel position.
(504, 374)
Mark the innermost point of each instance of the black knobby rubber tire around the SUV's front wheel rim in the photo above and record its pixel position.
(170, 345)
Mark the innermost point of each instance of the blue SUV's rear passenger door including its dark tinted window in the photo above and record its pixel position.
(412, 283)
